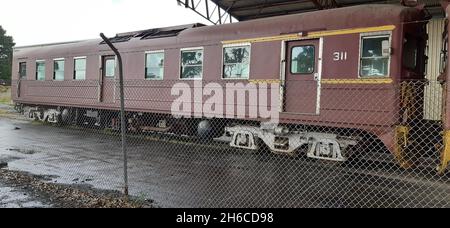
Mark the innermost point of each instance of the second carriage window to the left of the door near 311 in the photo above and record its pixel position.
(192, 64)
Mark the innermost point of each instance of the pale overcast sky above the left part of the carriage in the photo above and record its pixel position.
(46, 21)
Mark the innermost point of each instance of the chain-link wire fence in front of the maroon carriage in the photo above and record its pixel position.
(337, 143)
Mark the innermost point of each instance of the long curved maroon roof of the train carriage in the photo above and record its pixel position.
(339, 18)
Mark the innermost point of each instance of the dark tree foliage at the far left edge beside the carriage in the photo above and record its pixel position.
(6, 50)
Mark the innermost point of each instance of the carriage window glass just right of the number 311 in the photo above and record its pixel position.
(374, 57)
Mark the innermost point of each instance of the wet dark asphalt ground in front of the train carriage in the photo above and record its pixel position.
(180, 173)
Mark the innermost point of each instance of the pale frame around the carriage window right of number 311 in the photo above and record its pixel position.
(373, 35)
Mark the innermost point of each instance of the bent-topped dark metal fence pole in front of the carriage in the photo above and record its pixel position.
(122, 112)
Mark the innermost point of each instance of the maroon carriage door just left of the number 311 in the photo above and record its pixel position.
(302, 77)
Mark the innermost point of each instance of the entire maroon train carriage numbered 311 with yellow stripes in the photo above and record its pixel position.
(348, 82)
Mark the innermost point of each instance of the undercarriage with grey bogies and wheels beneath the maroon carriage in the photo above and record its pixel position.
(277, 139)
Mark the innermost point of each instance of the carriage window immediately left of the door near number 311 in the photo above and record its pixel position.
(236, 62)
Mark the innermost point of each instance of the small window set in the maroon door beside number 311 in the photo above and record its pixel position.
(303, 59)
